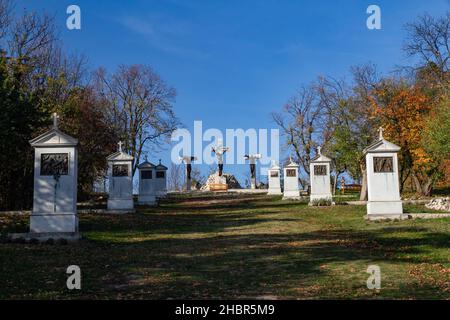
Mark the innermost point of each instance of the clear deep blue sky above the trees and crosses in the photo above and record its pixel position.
(234, 62)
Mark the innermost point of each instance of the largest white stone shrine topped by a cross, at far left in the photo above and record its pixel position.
(55, 184)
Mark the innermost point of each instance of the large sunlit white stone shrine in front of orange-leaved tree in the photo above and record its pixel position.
(382, 180)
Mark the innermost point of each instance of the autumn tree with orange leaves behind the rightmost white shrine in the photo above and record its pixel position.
(403, 110)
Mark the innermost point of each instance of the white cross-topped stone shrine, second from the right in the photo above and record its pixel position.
(319, 175)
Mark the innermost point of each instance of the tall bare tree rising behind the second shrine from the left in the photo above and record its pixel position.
(139, 105)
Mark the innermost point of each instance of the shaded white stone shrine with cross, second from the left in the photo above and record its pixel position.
(120, 197)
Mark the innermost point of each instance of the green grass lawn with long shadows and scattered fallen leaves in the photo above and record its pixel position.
(248, 246)
